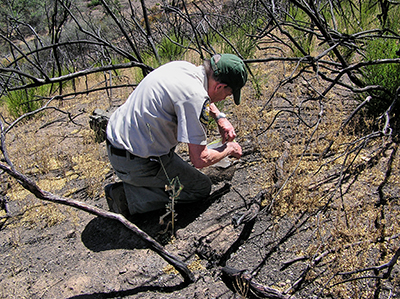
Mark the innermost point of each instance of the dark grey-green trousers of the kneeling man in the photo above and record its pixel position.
(144, 180)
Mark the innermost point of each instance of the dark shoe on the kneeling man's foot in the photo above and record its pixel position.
(116, 198)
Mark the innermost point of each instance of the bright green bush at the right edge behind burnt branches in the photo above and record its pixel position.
(386, 75)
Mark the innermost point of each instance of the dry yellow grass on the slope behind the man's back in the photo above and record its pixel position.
(55, 151)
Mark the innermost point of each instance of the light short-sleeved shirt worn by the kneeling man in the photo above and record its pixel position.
(170, 105)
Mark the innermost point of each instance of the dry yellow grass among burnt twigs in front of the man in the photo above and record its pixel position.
(351, 228)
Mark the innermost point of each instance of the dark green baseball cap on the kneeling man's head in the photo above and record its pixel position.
(231, 71)
